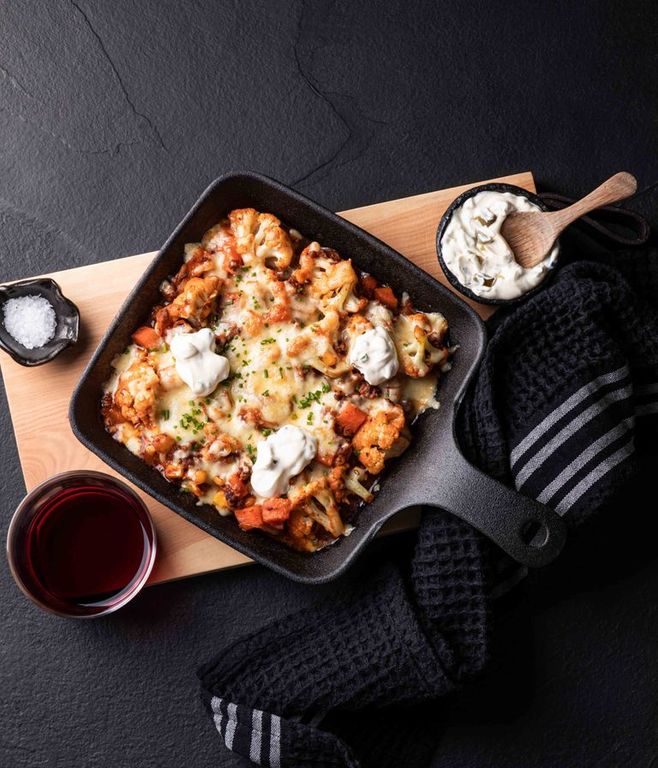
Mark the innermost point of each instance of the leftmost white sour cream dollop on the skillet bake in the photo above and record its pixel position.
(197, 363)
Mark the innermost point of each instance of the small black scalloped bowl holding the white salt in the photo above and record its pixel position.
(67, 314)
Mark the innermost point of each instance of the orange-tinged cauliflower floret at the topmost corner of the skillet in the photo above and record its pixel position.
(261, 238)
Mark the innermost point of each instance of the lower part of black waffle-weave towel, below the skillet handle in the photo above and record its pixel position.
(392, 642)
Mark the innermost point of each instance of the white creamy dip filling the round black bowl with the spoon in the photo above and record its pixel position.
(477, 254)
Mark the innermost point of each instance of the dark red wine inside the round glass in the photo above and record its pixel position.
(86, 546)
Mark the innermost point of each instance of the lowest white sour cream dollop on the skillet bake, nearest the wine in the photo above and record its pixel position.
(281, 456)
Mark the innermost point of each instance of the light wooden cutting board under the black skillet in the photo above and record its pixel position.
(39, 397)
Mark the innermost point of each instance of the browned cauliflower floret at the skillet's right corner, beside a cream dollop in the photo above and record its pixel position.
(418, 338)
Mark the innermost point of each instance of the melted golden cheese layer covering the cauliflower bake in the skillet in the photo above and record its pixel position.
(286, 351)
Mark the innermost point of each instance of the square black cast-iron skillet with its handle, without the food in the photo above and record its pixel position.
(431, 472)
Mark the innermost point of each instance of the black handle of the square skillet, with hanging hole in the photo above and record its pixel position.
(529, 532)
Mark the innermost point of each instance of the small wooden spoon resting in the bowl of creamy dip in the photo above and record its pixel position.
(531, 235)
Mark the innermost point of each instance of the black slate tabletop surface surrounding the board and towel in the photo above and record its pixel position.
(114, 116)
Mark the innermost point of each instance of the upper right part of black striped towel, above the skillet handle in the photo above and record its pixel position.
(592, 334)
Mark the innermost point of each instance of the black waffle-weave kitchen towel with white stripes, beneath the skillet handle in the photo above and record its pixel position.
(565, 404)
